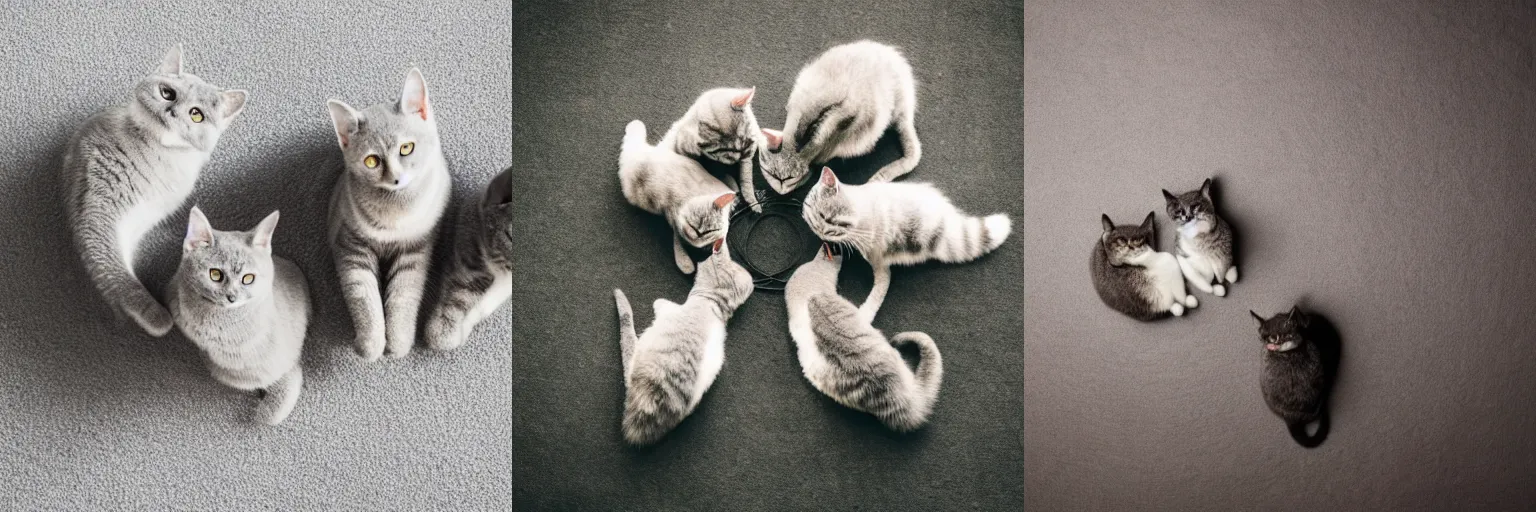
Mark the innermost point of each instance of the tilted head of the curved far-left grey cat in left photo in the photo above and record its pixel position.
(182, 108)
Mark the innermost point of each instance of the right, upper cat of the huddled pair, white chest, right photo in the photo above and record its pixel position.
(1205, 241)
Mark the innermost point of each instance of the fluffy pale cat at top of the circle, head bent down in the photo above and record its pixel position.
(841, 107)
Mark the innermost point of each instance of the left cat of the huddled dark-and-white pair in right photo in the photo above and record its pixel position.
(1134, 279)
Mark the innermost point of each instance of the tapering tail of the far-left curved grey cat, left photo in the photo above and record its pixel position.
(116, 281)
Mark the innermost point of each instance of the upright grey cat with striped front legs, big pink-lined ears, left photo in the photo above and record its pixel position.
(385, 214)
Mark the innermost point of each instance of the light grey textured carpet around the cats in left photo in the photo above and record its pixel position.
(99, 416)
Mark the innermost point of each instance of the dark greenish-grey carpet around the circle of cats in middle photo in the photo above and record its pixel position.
(763, 439)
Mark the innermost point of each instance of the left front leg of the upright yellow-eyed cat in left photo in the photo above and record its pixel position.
(360, 288)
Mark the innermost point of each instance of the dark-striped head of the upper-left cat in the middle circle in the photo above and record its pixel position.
(723, 127)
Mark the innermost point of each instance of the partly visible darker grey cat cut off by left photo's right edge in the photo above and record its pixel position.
(480, 279)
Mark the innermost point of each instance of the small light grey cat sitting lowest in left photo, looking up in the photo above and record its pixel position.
(245, 308)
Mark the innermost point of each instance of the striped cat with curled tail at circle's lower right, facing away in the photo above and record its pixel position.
(850, 361)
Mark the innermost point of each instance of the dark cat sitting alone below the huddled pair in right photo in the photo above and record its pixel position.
(1297, 374)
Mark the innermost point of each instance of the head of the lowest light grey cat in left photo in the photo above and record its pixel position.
(227, 268)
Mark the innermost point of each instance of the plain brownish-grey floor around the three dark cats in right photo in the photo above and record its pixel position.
(1377, 159)
